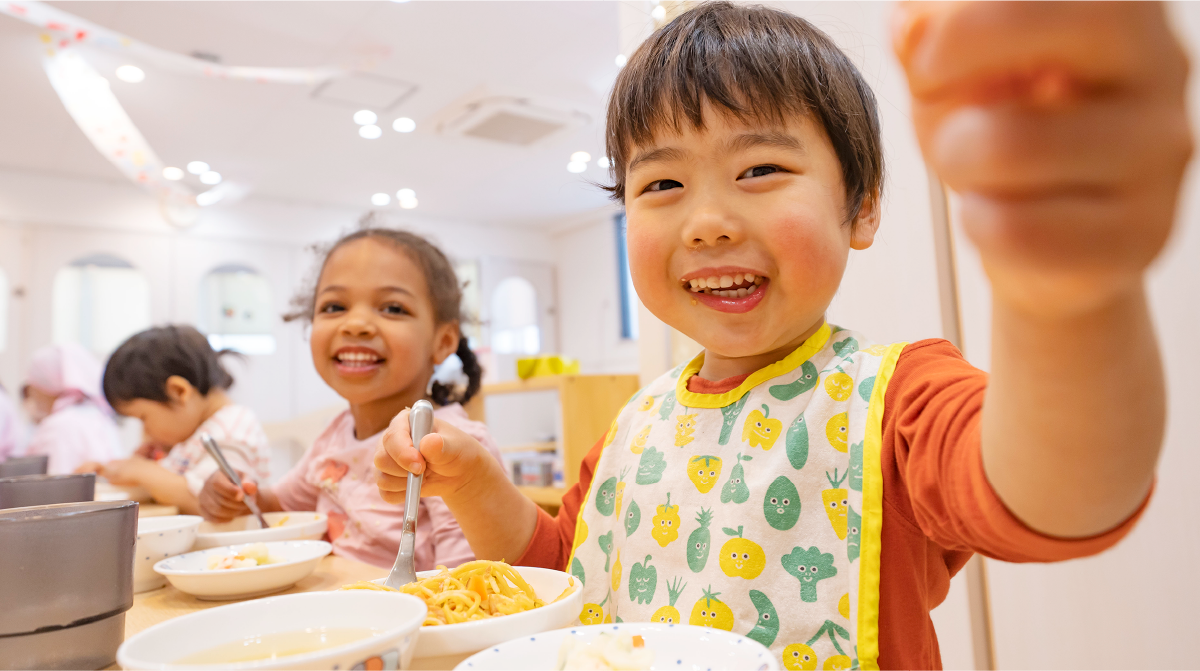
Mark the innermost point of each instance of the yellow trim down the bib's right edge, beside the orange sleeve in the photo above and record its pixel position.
(873, 518)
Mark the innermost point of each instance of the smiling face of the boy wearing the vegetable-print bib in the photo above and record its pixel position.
(735, 200)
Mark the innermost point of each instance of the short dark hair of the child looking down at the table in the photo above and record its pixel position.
(142, 364)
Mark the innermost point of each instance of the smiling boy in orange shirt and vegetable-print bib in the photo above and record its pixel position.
(854, 480)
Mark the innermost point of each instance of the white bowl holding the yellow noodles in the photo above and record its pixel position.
(470, 638)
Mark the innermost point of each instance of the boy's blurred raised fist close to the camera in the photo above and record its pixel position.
(1063, 125)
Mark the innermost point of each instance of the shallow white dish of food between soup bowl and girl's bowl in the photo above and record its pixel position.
(190, 573)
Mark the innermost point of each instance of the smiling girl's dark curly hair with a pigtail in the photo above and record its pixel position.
(446, 295)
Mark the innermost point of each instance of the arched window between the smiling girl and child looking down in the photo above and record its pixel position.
(236, 310)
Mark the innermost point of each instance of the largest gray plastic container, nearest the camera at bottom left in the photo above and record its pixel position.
(67, 579)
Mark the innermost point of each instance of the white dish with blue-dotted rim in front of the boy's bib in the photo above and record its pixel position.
(676, 646)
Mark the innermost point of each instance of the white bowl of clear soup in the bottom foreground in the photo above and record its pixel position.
(394, 619)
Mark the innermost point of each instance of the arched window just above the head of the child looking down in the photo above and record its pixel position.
(99, 302)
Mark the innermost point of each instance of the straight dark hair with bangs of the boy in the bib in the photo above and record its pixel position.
(758, 64)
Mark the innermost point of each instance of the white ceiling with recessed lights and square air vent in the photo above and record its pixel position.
(287, 146)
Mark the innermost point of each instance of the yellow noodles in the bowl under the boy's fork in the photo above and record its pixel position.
(475, 591)
